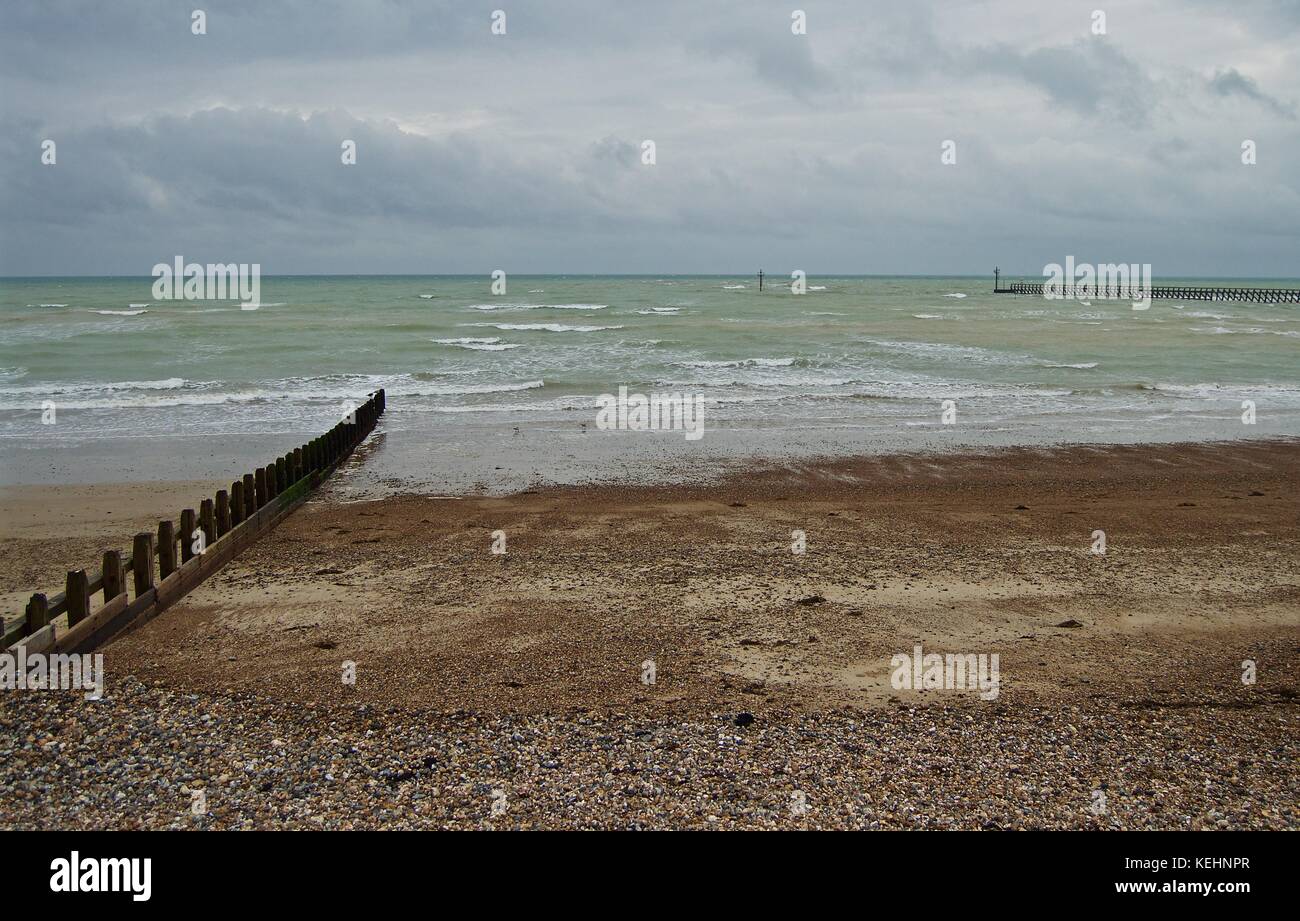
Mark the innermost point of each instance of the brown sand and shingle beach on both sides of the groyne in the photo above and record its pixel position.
(521, 677)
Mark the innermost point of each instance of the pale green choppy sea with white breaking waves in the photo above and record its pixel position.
(499, 391)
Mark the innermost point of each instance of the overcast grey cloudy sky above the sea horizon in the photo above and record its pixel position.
(525, 152)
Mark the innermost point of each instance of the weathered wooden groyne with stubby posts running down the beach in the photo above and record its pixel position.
(168, 565)
